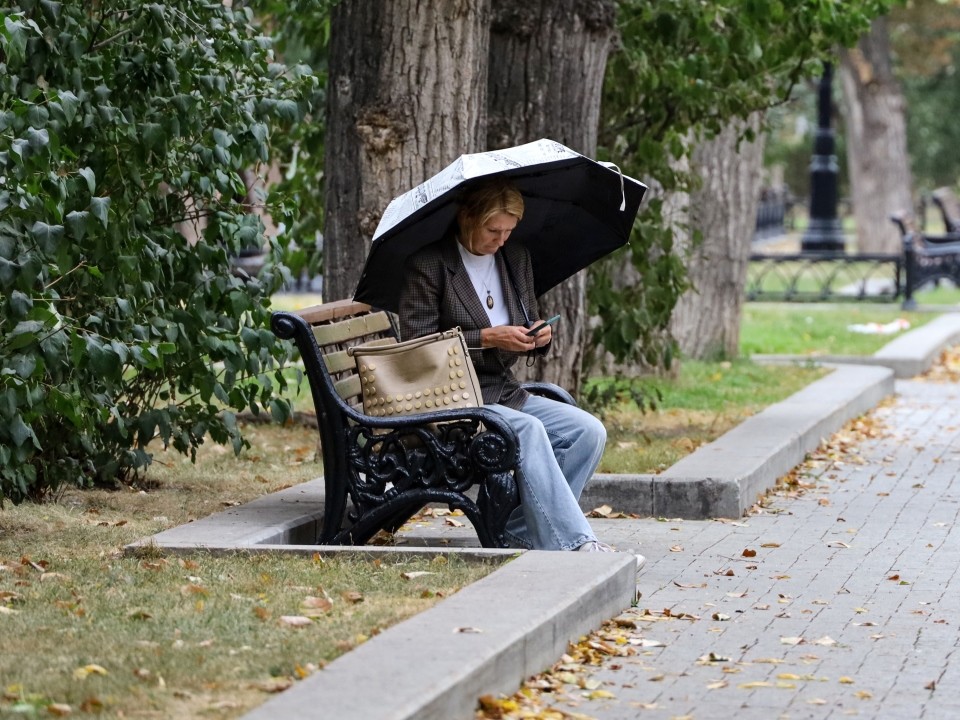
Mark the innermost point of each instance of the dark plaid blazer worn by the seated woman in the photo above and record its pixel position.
(438, 295)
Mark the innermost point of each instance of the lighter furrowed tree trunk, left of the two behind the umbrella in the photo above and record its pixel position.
(406, 96)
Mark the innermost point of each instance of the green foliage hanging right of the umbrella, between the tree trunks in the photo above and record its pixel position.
(684, 69)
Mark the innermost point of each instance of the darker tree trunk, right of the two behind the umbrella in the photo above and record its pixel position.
(547, 61)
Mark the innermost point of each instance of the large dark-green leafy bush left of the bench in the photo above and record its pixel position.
(119, 124)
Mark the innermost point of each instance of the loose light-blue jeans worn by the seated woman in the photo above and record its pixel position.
(560, 447)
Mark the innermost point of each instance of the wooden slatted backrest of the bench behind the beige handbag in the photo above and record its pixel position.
(343, 324)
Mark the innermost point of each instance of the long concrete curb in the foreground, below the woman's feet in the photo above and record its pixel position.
(425, 669)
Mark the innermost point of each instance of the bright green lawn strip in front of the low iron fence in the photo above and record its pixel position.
(817, 329)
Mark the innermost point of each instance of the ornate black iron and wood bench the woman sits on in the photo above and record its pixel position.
(380, 471)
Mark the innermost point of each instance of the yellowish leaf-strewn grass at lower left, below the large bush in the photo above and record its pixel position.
(82, 626)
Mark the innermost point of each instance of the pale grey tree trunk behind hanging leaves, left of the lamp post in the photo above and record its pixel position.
(706, 321)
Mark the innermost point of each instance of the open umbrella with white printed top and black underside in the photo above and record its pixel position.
(576, 210)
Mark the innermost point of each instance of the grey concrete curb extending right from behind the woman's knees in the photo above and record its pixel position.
(725, 477)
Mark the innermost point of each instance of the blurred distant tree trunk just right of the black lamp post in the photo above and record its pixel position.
(877, 157)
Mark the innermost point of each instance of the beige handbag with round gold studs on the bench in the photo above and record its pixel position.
(433, 372)
